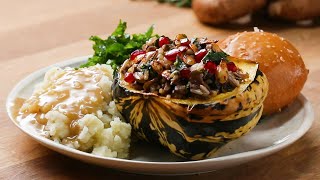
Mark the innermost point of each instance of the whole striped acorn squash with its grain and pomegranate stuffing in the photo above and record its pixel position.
(188, 95)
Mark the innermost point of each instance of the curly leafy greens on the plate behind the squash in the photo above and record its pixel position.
(117, 47)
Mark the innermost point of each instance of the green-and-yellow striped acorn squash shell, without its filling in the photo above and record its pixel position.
(193, 128)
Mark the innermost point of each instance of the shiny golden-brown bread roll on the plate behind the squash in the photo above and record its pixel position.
(277, 58)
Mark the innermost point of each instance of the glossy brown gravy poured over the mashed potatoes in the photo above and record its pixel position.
(74, 93)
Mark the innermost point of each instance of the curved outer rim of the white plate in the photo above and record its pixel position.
(305, 126)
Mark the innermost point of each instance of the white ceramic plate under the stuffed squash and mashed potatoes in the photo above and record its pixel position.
(271, 134)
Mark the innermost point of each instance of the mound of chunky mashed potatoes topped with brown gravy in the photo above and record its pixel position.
(75, 108)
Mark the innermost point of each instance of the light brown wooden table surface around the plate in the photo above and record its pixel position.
(37, 33)
